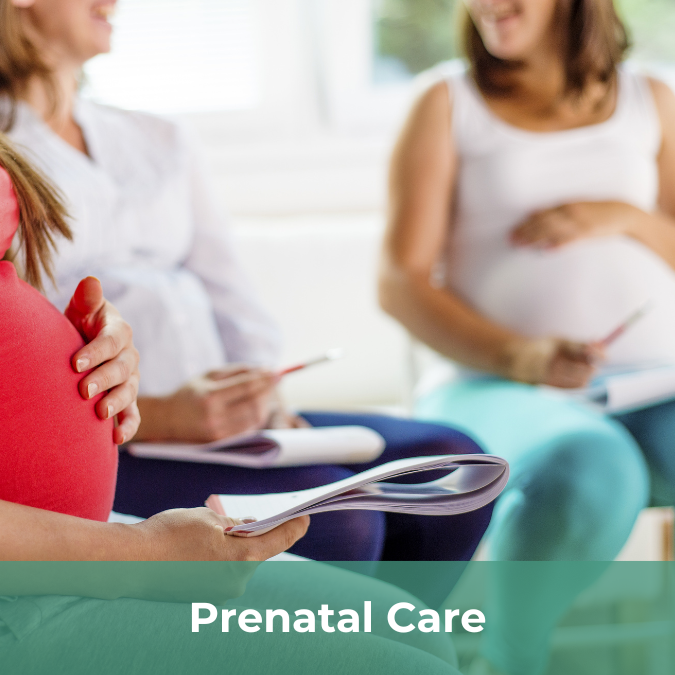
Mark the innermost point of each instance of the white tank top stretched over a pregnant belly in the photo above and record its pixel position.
(585, 289)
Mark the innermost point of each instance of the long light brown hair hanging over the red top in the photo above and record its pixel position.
(42, 216)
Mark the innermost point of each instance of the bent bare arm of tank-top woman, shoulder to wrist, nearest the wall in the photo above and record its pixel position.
(422, 177)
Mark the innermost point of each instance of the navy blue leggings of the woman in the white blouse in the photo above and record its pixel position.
(145, 487)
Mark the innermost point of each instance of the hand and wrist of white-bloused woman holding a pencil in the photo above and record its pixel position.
(211, 407)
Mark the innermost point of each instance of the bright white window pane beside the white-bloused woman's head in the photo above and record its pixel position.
(172, 56)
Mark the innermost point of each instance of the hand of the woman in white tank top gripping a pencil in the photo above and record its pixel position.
(552, 361)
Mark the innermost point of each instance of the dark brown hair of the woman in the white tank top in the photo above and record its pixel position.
(592, 38)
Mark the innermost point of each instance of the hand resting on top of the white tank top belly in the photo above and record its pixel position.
(558, 226)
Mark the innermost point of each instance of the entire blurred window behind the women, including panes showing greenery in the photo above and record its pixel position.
(275, 64)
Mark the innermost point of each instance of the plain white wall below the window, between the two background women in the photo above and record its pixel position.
(308, 216)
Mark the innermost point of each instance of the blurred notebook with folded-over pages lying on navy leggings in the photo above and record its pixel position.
(277, 447)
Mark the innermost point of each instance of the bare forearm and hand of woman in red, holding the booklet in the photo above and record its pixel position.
(28, 533)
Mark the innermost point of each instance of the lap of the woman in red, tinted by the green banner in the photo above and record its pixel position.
(136, 636)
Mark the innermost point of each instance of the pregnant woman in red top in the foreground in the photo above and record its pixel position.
(58, 466)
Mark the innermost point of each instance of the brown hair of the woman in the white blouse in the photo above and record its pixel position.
(19, 62)
